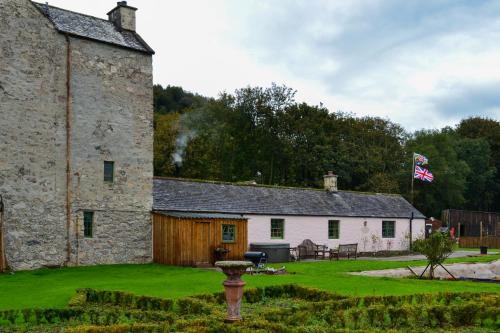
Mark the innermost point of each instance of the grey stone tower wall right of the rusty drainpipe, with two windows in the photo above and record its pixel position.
(112, 121)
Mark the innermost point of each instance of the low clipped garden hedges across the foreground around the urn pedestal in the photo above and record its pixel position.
(285, 308)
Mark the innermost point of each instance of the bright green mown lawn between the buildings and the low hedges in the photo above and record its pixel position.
(53, 288)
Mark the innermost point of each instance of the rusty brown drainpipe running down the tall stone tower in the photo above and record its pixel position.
(69, 111)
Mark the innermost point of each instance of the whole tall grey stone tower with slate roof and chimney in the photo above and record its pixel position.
(76, 137)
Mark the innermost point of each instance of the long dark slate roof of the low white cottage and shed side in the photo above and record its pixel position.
(197, 196)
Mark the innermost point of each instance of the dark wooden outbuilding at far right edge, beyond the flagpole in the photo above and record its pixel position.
(474, 228)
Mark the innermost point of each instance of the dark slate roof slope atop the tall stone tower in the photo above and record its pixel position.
(94, 28)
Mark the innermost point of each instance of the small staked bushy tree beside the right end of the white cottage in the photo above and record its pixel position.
(436, 248)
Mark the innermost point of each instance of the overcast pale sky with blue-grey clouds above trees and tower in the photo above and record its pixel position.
(423, 64)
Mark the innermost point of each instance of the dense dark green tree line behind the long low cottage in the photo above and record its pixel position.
(264, 135)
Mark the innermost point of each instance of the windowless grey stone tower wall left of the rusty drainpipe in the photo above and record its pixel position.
(32, 135)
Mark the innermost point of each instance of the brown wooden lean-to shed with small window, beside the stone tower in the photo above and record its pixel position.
(191, 239)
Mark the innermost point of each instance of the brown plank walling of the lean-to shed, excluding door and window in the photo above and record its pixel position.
(174, 243)
